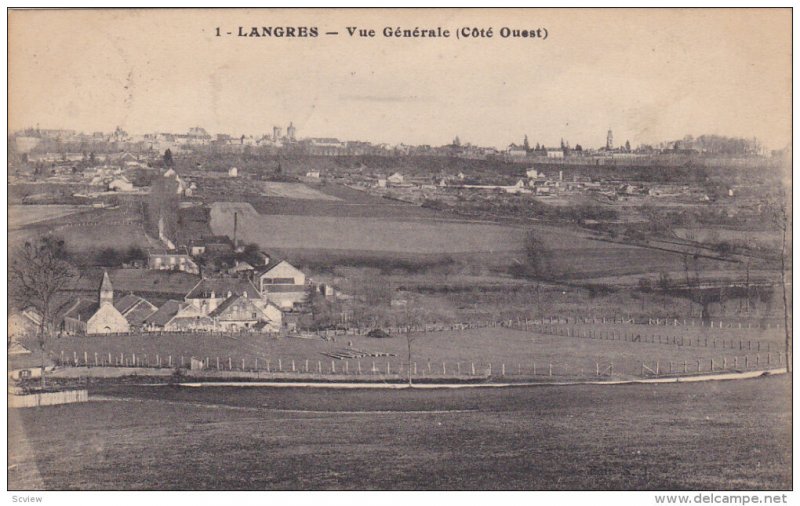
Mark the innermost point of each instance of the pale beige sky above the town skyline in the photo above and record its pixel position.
(650, 75)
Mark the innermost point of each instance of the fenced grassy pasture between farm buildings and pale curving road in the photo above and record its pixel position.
(494, 350)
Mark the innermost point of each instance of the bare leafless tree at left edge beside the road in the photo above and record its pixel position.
(39, 273)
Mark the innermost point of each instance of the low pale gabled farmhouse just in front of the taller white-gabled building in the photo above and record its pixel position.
(240, 312)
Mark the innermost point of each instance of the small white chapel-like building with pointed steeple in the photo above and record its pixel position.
(91, 318)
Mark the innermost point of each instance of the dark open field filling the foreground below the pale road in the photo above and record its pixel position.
(733, 435)
